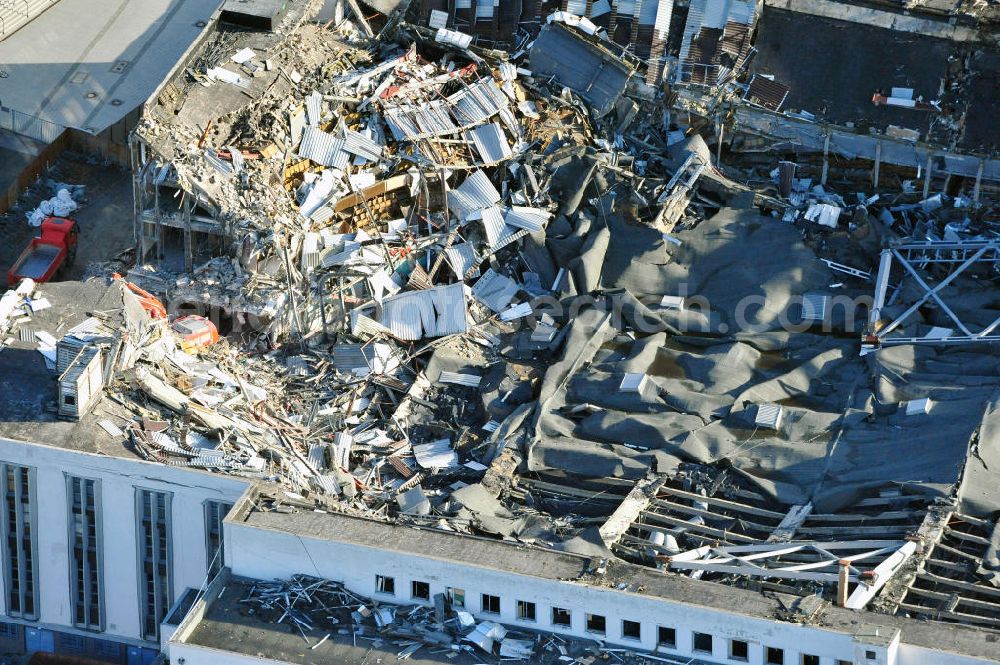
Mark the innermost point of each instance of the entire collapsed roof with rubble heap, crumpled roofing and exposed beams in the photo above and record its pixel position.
(517, 295)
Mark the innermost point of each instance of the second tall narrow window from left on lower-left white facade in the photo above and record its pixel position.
(85, 553)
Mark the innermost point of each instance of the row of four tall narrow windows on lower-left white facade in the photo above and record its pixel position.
(85, 540)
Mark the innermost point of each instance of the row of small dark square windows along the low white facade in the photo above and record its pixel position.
(597, 624)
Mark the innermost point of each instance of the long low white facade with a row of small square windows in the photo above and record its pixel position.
(739, 633)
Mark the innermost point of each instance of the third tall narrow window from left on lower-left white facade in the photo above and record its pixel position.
(155, 559)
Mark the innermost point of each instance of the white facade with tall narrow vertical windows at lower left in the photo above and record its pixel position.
(98, 548)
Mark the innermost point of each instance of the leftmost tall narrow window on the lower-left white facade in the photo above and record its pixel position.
(20, 524)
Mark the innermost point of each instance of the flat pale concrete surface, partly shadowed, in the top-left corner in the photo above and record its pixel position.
(88, 63)
